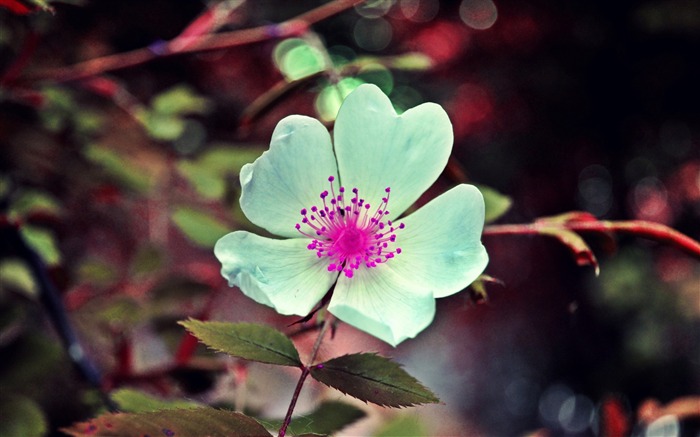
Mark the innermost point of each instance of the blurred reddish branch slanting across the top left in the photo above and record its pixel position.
(201, 43)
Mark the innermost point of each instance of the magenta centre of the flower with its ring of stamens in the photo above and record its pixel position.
(348, 232)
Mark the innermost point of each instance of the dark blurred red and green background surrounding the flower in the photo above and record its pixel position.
(124, 177)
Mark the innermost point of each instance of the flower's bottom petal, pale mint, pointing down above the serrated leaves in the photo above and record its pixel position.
(382, 303)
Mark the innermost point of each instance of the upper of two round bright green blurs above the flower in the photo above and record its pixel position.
(297, 59)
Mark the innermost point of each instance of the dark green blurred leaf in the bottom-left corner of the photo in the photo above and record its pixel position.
(21, 416)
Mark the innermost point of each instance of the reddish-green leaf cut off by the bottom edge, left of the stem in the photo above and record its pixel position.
(193, 422)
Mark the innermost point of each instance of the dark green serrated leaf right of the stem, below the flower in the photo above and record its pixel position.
(372, 378)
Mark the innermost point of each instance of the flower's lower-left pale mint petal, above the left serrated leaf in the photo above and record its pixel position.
(282, 274)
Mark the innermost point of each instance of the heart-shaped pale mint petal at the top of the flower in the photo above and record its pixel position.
(377, 149)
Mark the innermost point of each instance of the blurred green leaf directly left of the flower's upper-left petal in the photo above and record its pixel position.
(208, 173)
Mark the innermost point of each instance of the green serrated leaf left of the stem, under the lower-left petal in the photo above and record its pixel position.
(246, 340)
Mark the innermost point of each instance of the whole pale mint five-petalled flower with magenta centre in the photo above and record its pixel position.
(338, 206)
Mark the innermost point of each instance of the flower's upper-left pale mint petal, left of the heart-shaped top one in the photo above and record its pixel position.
(288, 177)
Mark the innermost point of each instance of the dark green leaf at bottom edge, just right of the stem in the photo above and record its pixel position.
(328, 418)
